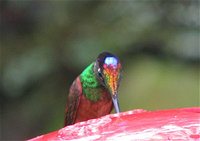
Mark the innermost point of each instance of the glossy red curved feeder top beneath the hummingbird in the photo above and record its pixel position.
(176, 124)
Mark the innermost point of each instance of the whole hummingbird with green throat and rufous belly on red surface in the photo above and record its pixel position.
(94, 92)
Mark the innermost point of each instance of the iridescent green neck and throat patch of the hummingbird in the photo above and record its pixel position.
(91, 87)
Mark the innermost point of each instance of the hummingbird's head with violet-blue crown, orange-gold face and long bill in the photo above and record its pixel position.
(108, 71)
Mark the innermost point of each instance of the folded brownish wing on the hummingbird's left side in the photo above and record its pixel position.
(73, 101)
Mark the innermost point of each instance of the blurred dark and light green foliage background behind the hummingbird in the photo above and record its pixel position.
(44, 46)
